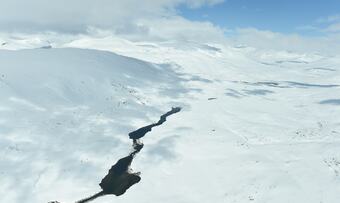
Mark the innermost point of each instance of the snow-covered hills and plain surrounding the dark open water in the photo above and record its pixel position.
(256, 126)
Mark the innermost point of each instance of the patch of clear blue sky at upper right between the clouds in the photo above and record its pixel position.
(285, 16)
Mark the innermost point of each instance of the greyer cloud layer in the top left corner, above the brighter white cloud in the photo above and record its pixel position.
(77, 15)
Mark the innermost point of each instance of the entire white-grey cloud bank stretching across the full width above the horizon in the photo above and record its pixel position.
(155, 20)
